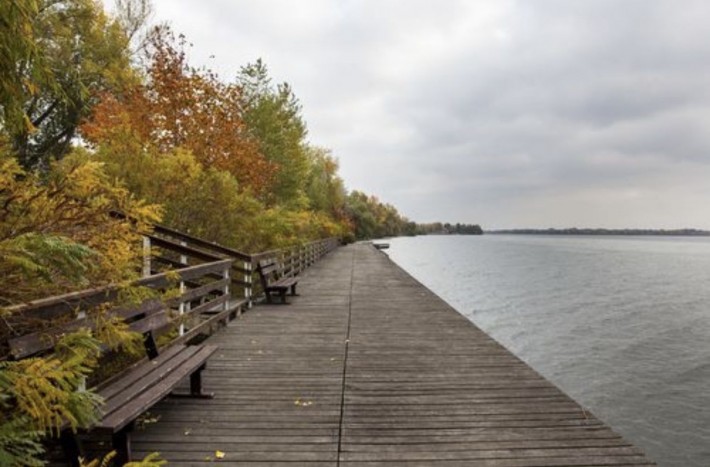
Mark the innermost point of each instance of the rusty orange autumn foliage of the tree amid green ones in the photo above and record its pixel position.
(181, 106)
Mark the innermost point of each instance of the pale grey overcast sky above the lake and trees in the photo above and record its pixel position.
(535, 113)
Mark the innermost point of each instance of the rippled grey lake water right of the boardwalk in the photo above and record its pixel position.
(622, 324)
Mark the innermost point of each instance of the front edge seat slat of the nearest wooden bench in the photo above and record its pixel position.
(127, 413)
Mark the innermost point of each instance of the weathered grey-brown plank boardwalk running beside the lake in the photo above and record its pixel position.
(368, 367)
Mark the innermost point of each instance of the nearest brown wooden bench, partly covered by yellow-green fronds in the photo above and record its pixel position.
(138, 388)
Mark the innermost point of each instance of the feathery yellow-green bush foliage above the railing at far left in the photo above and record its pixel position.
(57, 233)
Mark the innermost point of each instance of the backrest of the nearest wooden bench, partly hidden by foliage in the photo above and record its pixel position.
(146, 318)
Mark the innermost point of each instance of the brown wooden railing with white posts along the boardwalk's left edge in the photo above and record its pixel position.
(208, 285)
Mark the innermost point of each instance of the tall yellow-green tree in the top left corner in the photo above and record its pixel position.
(58, 56)
